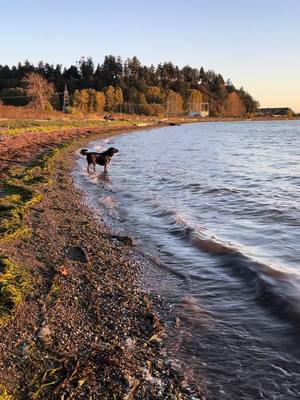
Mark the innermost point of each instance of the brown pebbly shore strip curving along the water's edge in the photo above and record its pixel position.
(83, 328)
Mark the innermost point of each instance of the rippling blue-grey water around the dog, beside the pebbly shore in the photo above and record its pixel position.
(216, 207)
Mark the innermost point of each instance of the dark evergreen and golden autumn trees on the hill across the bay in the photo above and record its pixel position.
(128, 86)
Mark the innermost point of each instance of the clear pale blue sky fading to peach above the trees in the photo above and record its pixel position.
(253, 43)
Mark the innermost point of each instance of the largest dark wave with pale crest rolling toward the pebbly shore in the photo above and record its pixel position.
(274, 286)
